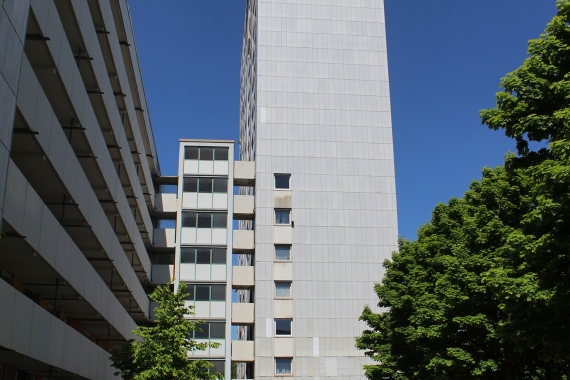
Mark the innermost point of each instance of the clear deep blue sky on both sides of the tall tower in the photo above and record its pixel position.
(445, 59)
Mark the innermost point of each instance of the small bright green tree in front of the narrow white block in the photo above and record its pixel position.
(162, 353)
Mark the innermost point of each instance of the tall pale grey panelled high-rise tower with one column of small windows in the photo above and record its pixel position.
(315, 118)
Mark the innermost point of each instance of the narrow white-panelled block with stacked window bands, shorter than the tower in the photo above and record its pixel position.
(203, 257)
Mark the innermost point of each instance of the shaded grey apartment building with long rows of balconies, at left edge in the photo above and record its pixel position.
(79, 188)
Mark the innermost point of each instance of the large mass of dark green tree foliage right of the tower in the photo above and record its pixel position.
(484, 292)
